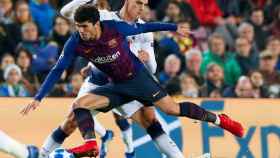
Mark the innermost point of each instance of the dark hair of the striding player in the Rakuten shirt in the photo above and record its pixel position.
(88, 13)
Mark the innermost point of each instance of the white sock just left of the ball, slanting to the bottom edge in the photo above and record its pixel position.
(49, 145)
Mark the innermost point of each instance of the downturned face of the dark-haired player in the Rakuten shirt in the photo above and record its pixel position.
(87, 30)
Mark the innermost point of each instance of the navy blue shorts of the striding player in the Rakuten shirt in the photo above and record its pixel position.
(143, 88)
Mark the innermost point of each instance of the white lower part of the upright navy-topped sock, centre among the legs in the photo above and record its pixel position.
(128, 140)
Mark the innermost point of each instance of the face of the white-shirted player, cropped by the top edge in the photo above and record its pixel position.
(136, 7)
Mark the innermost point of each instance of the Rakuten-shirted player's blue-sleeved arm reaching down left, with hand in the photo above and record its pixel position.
(63, 62)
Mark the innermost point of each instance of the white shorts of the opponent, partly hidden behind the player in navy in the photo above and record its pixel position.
(126, 110)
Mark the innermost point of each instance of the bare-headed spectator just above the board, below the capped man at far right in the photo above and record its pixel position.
(260, 90)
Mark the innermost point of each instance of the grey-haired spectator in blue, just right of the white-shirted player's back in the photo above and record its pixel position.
(172, 66)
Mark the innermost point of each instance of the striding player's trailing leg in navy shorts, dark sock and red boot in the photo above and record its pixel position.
(147, 90)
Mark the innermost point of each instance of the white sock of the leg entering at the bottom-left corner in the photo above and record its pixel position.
(12, 147)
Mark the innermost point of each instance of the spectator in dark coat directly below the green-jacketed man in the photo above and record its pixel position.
(214, 81)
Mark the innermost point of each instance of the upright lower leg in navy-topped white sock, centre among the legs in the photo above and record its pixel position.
(126, 132)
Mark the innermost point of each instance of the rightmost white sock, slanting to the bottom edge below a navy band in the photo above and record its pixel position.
(168, 147)
